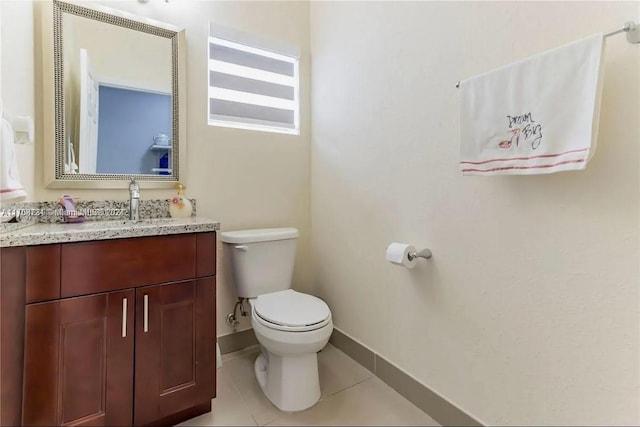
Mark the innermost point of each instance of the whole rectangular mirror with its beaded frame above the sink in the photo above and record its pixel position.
(114, 85)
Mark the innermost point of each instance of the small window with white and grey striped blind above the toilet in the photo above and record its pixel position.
(252, 85)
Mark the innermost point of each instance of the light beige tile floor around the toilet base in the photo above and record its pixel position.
(351, 395)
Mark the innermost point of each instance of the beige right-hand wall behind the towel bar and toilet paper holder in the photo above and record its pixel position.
(528, 312)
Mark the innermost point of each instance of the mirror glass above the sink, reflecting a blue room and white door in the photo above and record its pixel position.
(117, 85)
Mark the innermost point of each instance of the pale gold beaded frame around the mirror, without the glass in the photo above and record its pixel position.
(53, 96)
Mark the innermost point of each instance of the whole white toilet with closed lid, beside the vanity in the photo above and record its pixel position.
(290, 326)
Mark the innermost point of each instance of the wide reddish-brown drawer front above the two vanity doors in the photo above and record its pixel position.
(101, 266)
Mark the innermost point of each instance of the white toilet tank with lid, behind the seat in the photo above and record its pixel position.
(261, 261)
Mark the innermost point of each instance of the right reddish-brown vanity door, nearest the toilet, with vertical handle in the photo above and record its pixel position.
(175, 348)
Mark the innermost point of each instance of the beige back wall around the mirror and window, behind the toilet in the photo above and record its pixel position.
(241, 178)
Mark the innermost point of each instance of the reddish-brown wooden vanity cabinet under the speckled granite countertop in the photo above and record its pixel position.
(130, 340)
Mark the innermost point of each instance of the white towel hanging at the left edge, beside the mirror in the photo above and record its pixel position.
(10, 186)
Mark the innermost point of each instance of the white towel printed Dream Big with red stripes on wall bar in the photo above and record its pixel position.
(536, 116)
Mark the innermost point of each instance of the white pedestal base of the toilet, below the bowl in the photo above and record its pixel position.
(291, 383)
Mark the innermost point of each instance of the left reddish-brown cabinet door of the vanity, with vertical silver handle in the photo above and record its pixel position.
(79, 361)
